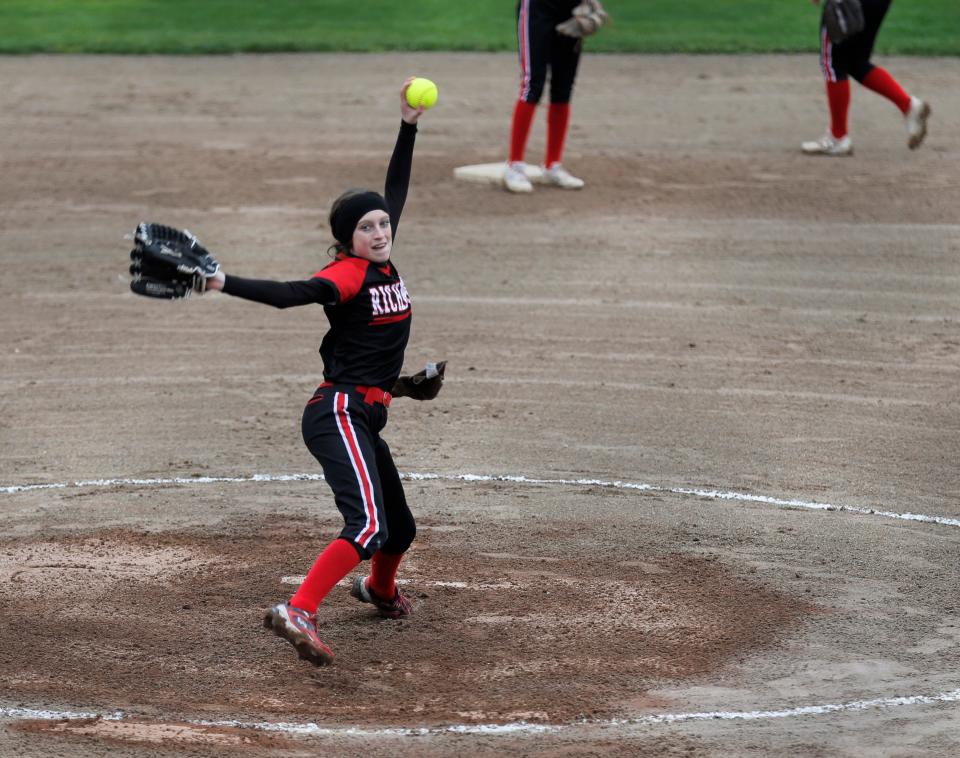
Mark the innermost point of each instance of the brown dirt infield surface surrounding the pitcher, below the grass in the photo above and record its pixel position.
(714, 312)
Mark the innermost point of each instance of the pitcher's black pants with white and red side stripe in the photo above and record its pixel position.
(343, 433)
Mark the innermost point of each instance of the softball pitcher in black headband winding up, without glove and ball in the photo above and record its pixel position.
(369, 312)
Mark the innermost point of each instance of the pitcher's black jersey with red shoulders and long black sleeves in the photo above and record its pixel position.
(366, 303)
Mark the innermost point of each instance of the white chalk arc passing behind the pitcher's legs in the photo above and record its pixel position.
(511, 478)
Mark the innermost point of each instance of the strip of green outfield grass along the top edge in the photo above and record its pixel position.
(920, 27)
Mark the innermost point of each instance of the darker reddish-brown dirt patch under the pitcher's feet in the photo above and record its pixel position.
(177, 617)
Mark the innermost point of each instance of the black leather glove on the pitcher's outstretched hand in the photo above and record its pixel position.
(168, 263)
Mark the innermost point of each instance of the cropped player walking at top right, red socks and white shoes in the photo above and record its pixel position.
(851, 57)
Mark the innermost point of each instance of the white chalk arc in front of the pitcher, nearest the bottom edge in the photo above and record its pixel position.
(517, 727)
